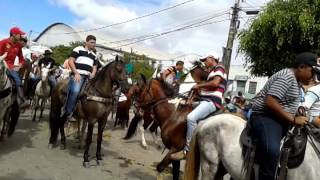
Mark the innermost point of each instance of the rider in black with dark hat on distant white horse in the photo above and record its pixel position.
(48, 61)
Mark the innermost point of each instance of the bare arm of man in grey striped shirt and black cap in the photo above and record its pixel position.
(273, 105)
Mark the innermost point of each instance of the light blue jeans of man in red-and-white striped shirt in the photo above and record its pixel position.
(201, 111)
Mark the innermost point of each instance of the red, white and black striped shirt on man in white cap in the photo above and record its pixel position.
(215, 95)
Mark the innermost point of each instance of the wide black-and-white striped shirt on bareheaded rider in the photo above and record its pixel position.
(85, 60)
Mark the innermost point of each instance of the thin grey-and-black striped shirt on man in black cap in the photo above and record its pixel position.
(284, 86)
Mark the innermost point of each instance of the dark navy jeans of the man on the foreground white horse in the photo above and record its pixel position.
(268, 132)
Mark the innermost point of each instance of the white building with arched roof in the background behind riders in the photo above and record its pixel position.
(63, 34)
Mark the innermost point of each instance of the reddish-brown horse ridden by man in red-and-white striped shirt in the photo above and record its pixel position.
(152, 97)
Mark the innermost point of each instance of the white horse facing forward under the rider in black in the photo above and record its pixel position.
(42, 92)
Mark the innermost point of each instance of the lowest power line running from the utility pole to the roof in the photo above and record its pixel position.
(172, 31)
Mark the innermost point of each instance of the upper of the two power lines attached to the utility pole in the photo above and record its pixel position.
(155, 34)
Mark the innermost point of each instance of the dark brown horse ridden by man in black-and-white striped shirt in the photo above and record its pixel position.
(94, 105)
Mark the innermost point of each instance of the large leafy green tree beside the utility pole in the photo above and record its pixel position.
(284, 29)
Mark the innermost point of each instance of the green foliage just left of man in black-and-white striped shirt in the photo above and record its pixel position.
(61, 53)
